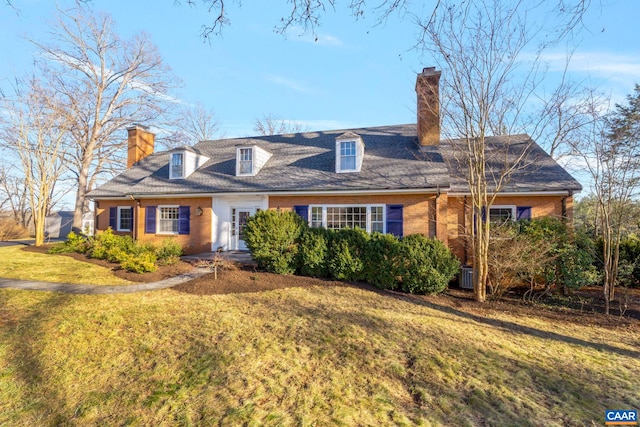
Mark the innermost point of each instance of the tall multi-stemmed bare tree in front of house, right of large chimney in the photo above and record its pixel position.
(490, 54)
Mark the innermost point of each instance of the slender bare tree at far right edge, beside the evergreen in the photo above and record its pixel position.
(611, 155)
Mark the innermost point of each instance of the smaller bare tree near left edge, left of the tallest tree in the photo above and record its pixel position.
(35, 130)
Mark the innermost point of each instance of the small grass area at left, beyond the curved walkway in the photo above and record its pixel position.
(19, 264)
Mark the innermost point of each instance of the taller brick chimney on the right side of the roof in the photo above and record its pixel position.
(427, 89)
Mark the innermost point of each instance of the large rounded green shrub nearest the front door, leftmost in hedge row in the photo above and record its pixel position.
(272, 238)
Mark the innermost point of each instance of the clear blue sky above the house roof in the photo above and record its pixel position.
(355, 74)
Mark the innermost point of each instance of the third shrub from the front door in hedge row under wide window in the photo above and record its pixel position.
(346, 252)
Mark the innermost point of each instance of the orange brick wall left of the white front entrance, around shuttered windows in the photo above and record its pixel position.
(198, 239)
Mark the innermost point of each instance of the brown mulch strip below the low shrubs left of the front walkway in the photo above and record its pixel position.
(163, 272)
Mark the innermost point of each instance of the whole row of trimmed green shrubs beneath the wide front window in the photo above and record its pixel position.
(283, 243)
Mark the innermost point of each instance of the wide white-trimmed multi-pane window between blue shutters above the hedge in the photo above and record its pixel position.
(336, 217)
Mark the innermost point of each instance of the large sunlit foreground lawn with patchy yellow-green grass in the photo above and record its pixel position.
(303, 356)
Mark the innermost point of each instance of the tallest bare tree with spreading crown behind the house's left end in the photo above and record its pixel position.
(106, 84)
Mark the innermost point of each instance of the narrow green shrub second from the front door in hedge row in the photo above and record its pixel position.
(313, 250)
